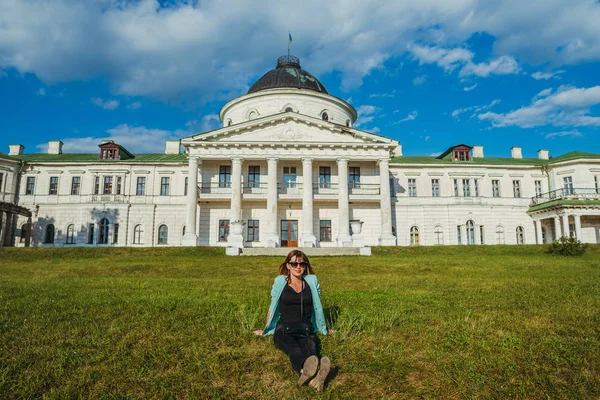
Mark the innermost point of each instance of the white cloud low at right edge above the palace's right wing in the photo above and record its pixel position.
(568, 106)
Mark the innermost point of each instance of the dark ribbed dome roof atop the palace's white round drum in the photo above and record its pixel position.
(288, 74)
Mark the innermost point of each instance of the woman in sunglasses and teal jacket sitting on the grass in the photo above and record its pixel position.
(294, 317)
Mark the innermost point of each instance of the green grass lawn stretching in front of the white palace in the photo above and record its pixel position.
(438, 322)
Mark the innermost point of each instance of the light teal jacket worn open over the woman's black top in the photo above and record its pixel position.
(318, 317)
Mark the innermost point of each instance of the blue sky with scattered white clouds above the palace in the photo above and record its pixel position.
(430, 74)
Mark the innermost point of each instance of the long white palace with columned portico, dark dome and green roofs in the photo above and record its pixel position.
(287, 169)
